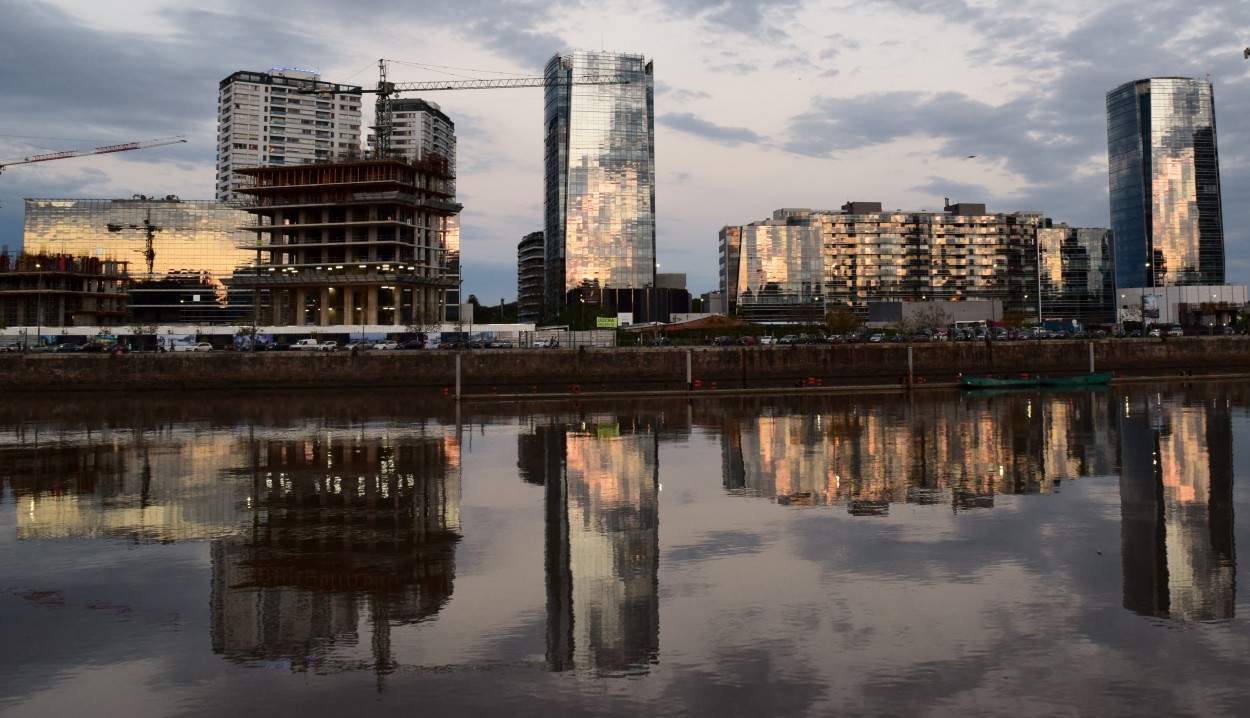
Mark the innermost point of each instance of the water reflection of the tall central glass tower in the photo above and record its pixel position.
(602, 541)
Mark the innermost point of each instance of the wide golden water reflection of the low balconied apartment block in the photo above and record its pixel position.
(963, 453)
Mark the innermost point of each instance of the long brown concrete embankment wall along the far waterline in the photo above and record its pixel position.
(562, 371)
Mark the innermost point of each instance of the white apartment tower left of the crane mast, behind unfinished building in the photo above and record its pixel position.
(264, 119)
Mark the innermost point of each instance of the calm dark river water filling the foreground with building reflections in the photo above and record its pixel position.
(1006, 555)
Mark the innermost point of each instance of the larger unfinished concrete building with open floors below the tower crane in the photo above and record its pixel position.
(369, 242)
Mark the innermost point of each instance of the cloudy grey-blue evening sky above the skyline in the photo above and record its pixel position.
(761, 104)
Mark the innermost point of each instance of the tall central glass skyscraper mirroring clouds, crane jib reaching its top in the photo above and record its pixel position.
(601, 174)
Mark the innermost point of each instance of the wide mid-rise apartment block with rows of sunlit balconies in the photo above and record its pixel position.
(802, 265)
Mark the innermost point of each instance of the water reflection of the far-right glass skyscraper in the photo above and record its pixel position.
(1177, 541)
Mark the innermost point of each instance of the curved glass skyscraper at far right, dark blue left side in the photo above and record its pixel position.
(1164, 176)
